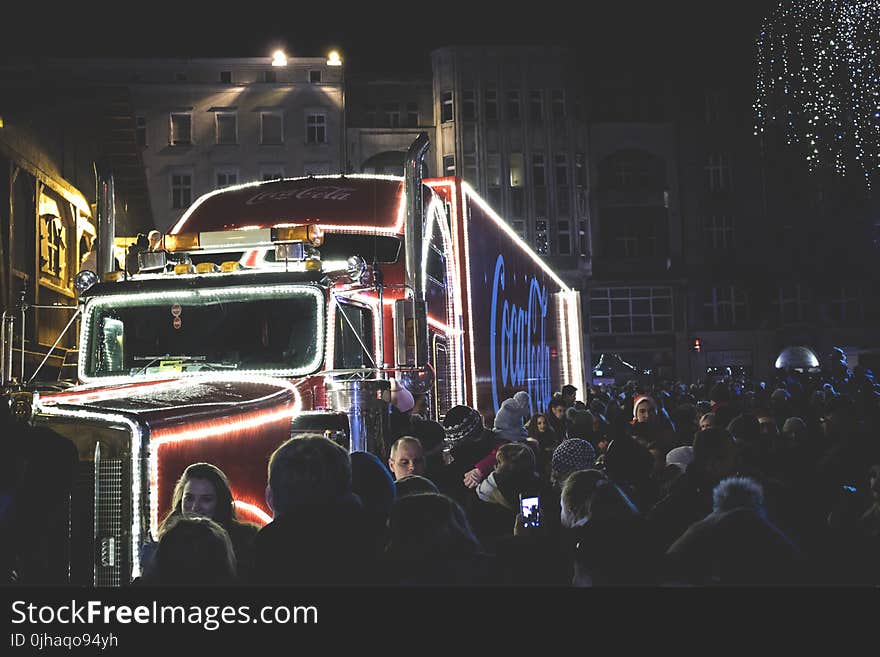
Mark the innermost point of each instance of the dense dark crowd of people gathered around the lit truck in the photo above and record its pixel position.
(725, 482)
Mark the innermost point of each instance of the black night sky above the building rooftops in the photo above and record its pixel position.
(625, 34)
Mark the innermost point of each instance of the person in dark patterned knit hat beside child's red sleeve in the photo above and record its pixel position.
(469, 452)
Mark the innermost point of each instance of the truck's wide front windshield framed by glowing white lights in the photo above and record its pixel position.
(278, 328)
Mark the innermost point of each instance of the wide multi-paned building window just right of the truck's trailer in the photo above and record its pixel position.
(630, 310)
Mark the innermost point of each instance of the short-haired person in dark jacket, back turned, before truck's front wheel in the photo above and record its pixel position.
(320, 533)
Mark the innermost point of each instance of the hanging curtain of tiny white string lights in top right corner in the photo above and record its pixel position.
(818, 80)
